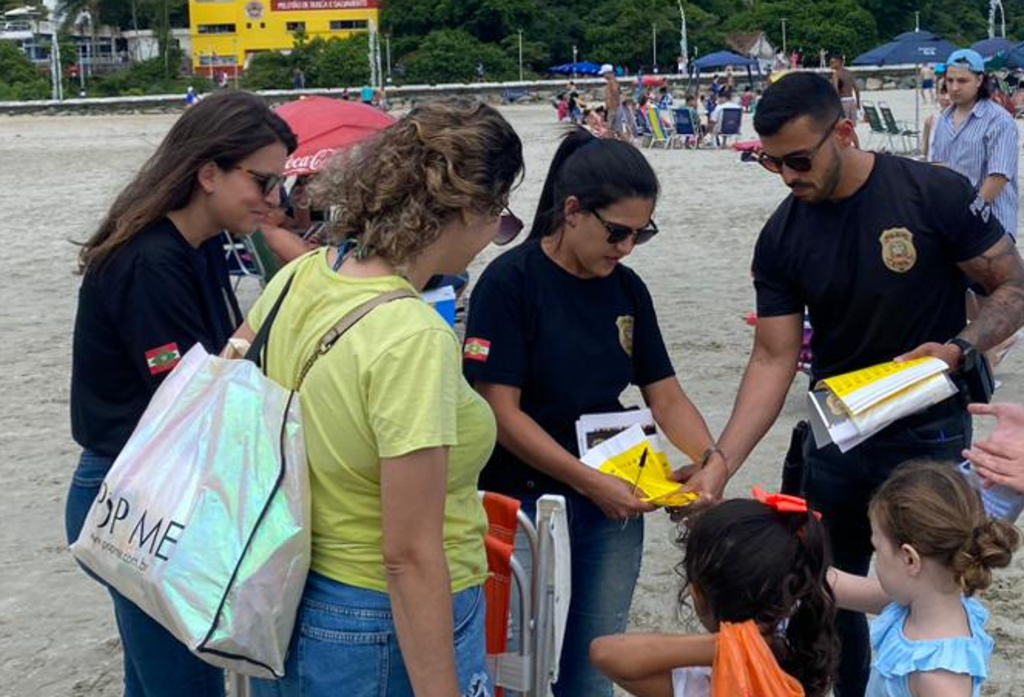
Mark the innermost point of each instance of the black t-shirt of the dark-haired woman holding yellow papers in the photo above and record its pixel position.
(572, 346)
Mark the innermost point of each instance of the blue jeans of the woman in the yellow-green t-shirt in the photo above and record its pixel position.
(346, 644)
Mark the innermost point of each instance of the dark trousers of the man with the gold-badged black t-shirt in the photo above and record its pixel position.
(841, 486)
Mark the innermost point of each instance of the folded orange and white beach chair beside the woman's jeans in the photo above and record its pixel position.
(543, 593)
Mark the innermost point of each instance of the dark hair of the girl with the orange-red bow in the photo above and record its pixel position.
(753, 562)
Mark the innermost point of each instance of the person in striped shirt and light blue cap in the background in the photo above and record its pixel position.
(978, 139)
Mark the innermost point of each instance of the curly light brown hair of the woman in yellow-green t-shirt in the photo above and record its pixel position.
(399, 191)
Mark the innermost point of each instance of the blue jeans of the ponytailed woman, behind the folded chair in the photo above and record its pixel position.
(606, 569)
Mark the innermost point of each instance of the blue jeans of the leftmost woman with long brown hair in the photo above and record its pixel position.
(156, 664)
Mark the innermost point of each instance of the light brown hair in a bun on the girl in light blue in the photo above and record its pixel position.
(932, 508)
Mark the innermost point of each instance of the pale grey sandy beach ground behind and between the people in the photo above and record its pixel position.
(60, 175)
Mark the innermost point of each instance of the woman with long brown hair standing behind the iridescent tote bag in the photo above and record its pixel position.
(149, 294)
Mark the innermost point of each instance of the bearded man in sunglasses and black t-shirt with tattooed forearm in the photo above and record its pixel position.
(880, 250)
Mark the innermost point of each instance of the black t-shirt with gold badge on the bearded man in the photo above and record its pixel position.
(877, 272)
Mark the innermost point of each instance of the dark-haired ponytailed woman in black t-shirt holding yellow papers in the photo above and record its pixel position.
(560, 328)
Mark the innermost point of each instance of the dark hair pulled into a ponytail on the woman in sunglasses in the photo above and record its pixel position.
(599, 172)
